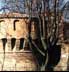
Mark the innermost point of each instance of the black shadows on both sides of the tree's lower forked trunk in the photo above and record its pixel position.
(54, 55)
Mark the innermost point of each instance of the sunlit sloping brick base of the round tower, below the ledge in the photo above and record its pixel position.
(18, 62)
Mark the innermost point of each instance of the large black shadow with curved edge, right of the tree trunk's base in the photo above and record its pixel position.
(54, 56)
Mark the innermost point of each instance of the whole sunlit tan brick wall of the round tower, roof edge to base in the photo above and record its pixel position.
(15, 60)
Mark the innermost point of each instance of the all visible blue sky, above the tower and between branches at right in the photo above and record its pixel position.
(10, 5)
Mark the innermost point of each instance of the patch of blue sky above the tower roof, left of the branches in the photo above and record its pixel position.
(11, 5)
